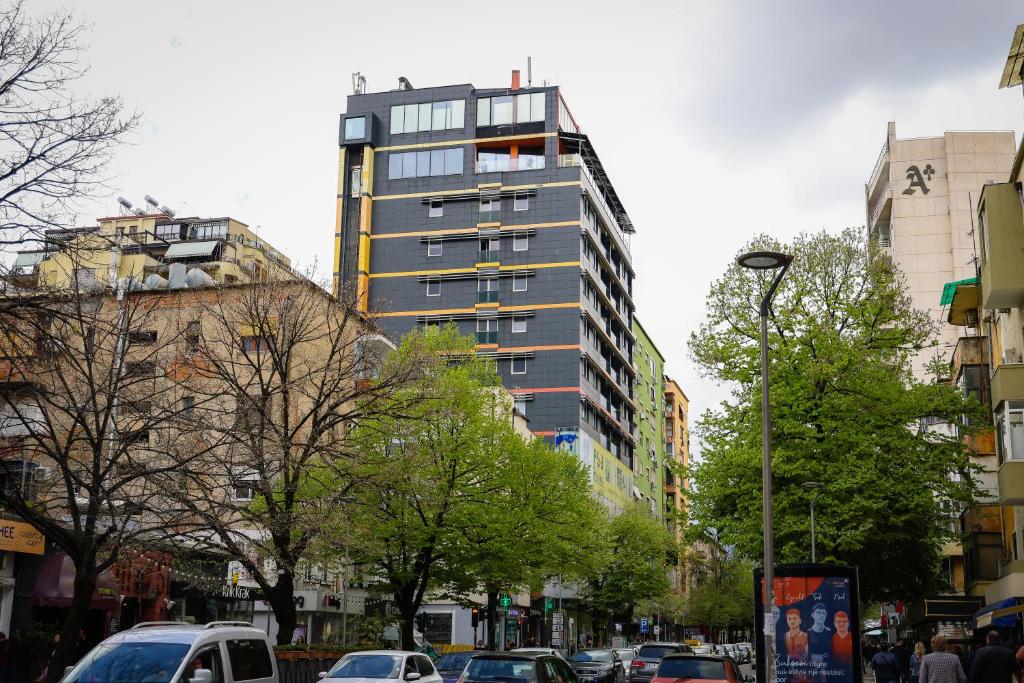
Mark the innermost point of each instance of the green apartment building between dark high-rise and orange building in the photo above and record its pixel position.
(649, 465)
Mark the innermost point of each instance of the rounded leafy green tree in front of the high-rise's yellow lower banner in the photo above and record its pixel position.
(542, 522)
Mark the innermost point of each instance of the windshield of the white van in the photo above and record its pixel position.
(114, 663)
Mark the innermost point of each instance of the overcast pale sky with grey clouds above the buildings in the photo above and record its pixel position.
(715, 120)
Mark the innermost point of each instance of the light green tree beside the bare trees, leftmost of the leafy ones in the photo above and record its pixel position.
(433, 474)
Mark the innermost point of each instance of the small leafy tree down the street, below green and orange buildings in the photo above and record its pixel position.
(634, 569)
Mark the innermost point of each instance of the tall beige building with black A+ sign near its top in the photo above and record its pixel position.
(921, 201)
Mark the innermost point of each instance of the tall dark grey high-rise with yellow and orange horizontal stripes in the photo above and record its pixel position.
(490, 208)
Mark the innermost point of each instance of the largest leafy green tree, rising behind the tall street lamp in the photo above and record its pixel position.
(846, 412)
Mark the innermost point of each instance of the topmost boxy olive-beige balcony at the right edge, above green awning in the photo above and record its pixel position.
(1001, 218)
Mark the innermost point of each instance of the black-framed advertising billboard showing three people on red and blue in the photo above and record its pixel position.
(817, 622)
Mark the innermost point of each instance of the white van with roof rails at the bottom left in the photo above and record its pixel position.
(166, 652)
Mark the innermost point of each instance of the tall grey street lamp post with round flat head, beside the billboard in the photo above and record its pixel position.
(781, 263)
